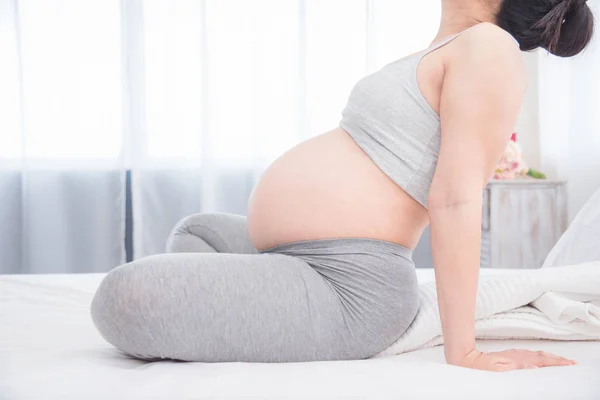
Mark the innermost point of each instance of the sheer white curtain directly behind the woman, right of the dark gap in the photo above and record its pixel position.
(229, 85)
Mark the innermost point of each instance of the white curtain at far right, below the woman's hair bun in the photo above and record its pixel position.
(570, 119)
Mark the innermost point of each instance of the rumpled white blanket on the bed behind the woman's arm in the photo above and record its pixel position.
(560, 303)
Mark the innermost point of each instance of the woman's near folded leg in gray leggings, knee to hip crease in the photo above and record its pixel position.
(222, 307)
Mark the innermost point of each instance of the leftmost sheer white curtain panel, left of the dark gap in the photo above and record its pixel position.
(61, 175)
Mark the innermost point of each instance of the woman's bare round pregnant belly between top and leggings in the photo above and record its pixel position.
(327, 187)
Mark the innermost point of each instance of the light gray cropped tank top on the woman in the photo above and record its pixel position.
(388, 117)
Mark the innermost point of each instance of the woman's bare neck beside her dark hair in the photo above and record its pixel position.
(458, 15)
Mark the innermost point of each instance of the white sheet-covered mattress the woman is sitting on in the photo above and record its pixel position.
(49, 349)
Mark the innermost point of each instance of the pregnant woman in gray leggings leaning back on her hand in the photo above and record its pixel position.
(322, 268)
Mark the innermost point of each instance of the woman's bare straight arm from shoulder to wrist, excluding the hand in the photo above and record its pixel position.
(480, 101)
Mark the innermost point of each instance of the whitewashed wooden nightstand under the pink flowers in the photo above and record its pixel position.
(522, 220)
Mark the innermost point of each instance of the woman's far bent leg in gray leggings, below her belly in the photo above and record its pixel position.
(210, 233)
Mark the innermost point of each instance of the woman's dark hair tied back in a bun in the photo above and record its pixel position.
(563, 27)
